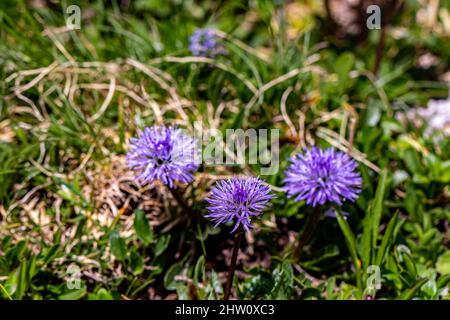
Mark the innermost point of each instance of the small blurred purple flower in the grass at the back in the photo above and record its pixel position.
(203, 43)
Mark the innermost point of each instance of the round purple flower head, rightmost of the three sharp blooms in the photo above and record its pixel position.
(320, 176)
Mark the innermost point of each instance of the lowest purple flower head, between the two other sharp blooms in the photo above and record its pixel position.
(238, 200)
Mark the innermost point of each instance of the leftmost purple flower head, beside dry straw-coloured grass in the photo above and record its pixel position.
(165, 154)
